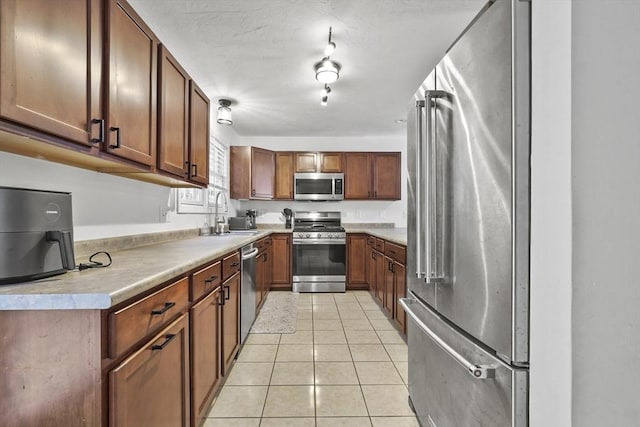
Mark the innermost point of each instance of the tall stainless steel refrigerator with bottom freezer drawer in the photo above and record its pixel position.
(468, 238)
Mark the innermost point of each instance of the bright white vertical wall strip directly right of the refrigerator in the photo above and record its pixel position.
(550, 338)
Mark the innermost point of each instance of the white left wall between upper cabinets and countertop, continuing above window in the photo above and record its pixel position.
(106, 205)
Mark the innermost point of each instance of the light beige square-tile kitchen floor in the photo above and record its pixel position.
(346, 365)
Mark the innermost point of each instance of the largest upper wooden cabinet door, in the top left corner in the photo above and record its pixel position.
(51, 65)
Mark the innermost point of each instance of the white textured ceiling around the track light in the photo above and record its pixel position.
(261, 53)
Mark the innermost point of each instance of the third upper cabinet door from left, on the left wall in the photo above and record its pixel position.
(173, 120)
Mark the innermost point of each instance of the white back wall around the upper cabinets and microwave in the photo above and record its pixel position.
(352, 211)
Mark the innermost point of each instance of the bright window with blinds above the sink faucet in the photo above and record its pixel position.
(202, 200)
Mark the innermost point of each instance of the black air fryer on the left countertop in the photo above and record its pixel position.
(36, 234)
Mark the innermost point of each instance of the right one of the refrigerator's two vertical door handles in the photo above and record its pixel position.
(434, 273)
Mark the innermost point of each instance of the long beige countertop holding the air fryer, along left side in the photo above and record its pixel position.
(132, 272)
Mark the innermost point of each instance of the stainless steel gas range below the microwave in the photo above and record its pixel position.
(319, 252)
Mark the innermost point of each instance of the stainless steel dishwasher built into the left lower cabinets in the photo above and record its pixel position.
(248, 290)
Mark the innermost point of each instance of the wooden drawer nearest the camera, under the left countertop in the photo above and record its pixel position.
(144, 317)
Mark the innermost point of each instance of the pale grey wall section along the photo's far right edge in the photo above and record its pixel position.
(606, 212)
